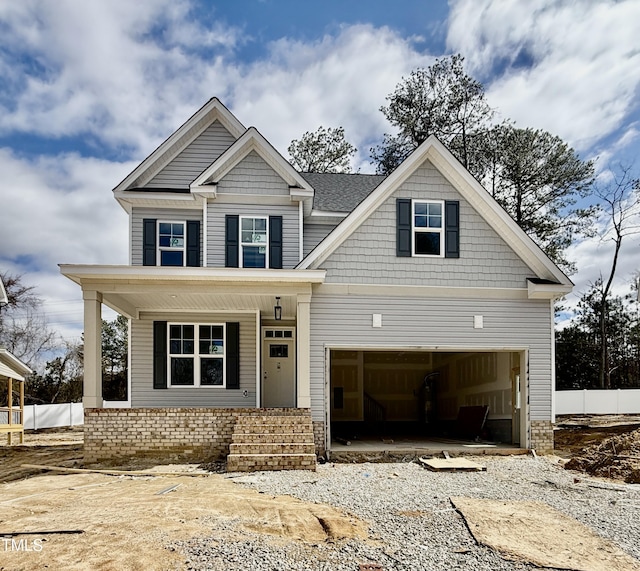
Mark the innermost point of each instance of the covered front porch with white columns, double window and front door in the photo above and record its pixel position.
(271, 309)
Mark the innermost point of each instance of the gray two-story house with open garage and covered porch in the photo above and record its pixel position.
(252, 286)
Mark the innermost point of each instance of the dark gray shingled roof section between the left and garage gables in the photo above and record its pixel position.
(341, 192)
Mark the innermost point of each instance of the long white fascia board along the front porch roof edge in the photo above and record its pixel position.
(79, 273)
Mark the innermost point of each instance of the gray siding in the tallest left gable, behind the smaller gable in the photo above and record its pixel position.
(194, 159)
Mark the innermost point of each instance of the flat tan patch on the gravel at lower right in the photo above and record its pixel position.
(536, 533)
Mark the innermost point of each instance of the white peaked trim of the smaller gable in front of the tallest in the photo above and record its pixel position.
(250, 141)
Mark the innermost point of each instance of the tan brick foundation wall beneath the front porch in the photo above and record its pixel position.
(166, 434)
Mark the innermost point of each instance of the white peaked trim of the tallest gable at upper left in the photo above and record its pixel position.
(211, 111)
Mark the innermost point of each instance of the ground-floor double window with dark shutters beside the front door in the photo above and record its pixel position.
(196, 355)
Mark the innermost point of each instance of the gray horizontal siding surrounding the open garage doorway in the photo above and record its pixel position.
(346, 320)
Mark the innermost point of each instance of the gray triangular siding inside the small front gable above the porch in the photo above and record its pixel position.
(252, 175)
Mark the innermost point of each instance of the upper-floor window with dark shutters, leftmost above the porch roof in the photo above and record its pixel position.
(171, 242)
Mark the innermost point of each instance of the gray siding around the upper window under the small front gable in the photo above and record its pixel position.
(216, 229)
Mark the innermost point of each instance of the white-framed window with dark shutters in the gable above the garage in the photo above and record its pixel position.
(428, 228)
